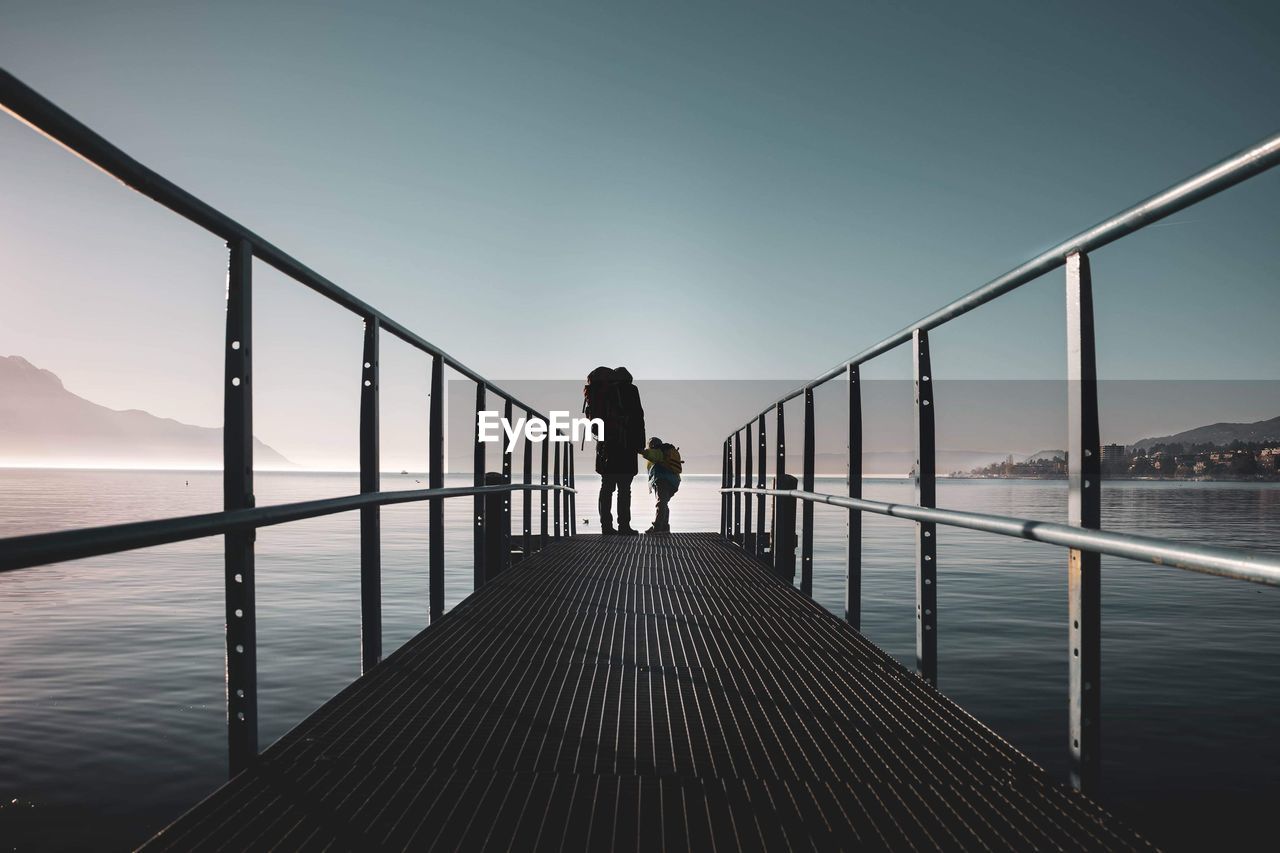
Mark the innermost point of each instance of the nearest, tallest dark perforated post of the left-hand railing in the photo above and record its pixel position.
(239, 495)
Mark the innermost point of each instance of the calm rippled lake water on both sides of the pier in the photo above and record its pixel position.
(112, 673)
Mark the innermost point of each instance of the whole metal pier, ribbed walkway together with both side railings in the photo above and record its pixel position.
(655, 692)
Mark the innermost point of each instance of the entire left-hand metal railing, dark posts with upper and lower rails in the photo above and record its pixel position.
(240, 518)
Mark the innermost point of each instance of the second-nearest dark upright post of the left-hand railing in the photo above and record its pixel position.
(371, 526)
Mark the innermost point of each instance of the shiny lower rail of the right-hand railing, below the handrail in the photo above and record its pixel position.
(1241, 564)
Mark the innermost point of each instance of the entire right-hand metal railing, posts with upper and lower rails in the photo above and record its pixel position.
(1084, 536)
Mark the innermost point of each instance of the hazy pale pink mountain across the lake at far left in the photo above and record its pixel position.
(42, 423)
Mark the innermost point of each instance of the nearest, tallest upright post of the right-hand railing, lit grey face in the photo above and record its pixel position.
(1085, 583)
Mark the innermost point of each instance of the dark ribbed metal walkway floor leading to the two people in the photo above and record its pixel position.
(642, 694)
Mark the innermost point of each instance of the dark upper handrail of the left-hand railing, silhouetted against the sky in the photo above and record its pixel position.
(42, 115)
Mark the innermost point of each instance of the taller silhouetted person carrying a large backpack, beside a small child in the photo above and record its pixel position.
(612, 396)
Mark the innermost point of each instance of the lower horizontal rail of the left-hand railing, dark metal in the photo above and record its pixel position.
(61, 546)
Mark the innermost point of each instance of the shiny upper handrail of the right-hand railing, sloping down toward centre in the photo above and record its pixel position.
(1240, 167)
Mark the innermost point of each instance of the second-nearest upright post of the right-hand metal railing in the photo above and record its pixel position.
(926, 495)
